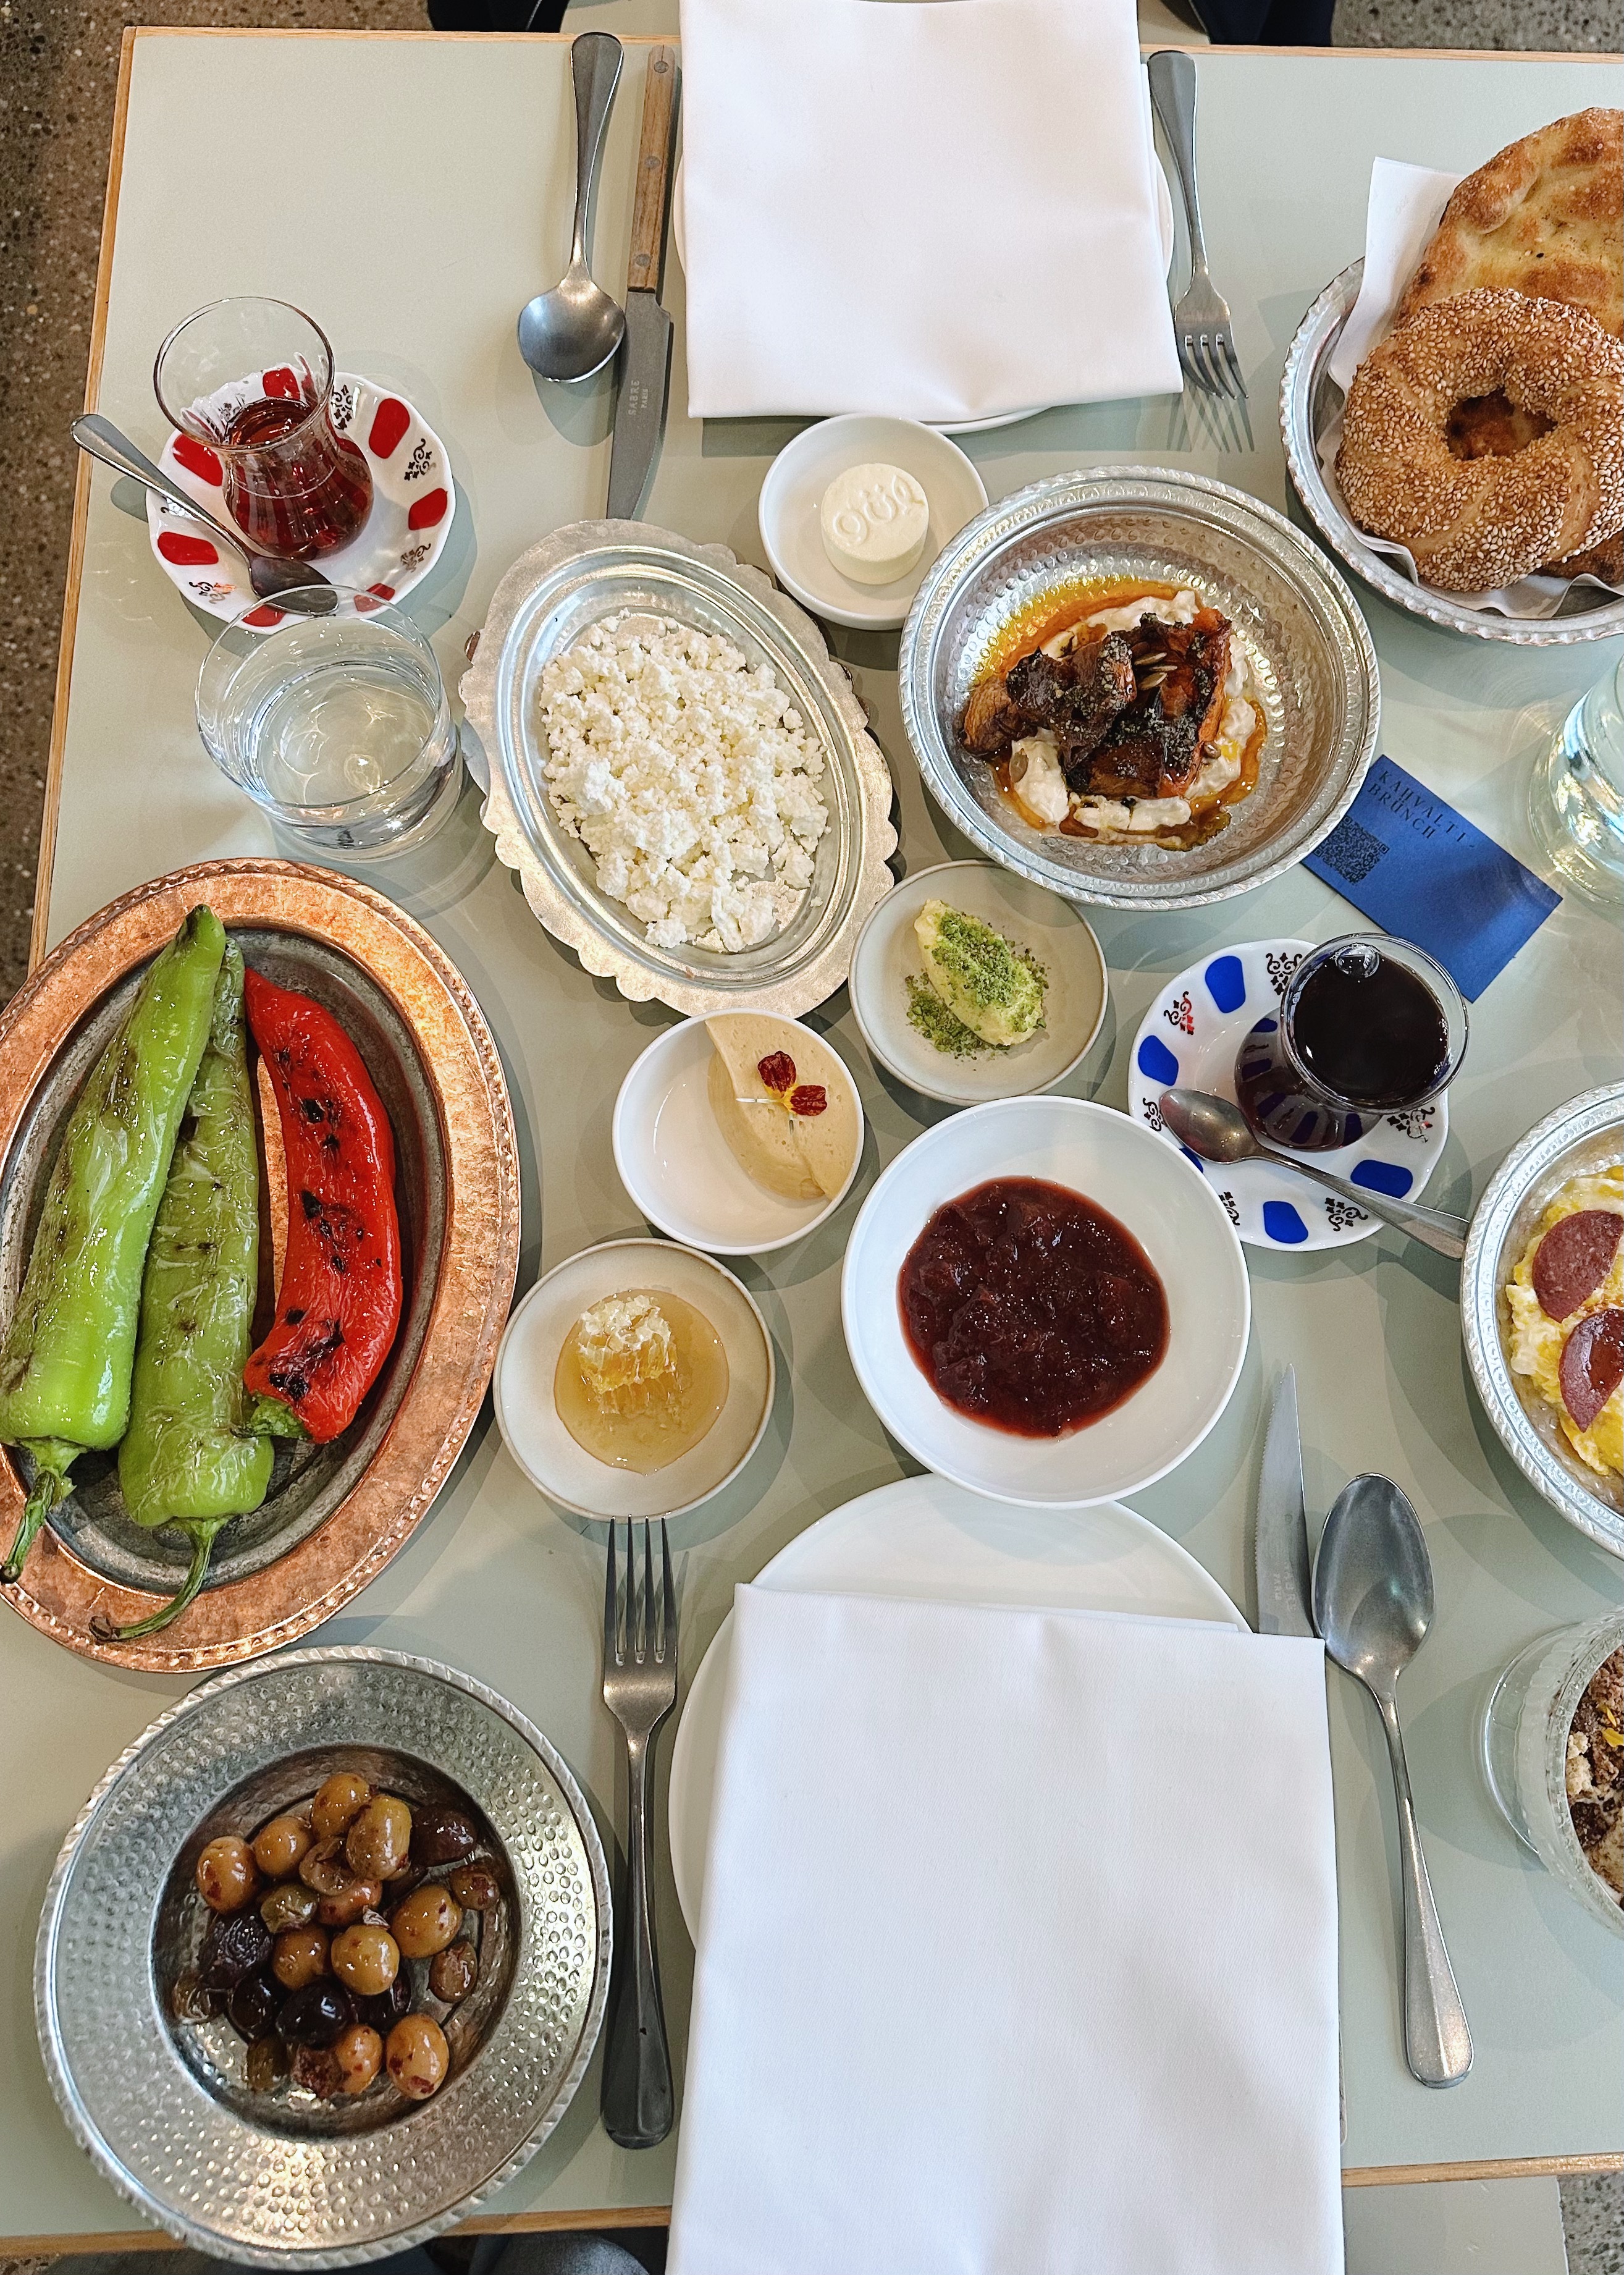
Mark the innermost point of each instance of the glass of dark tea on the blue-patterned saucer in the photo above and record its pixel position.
(1368, 1027)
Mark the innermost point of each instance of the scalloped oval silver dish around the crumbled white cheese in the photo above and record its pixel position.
(545, 606)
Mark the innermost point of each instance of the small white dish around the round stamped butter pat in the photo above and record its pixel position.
(795, 490)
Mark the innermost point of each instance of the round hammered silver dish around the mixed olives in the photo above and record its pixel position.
(163, 2110)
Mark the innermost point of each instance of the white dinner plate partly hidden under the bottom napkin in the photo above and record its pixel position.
(934, 1544)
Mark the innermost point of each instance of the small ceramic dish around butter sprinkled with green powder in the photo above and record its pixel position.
(1059, 936)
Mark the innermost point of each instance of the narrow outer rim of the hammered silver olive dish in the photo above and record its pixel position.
(565, 2085)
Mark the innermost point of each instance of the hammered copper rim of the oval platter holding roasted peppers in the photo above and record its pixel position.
(235, 1621)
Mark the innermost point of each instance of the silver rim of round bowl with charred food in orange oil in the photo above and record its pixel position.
(1202, 502)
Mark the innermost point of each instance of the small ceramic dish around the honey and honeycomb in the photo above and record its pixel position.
(529, 1359)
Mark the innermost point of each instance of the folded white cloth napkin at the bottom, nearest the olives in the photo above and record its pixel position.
(1018, 1951)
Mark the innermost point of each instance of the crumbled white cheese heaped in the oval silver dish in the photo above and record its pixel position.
(688, 777)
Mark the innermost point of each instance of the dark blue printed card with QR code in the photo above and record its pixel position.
(1420, 870)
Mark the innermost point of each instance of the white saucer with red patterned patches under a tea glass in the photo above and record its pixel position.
(395, 549)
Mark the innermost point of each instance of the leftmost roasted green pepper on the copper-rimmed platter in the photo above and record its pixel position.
(69, 1350)
